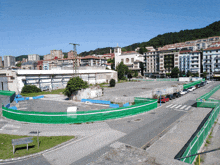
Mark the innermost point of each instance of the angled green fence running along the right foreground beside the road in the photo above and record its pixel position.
(199, 138)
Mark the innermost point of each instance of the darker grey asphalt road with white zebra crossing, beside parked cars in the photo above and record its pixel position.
(140, 129)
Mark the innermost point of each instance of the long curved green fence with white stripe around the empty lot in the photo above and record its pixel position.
(143, 105)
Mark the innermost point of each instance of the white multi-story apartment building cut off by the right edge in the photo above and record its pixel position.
(211, 60)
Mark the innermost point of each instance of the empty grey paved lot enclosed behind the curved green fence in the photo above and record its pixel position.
(60, 103)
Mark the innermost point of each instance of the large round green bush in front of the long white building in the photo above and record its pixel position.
(74, 84)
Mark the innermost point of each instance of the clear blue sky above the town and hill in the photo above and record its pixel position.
(38, 26)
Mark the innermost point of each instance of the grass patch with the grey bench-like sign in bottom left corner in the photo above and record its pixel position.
(6, 149)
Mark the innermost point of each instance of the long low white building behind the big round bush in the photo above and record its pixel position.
(54, 79)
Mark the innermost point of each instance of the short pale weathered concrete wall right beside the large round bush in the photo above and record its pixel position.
(87, 93)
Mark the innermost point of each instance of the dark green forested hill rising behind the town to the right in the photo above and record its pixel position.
(167, 38)
